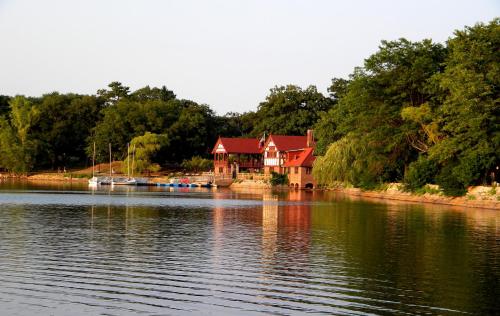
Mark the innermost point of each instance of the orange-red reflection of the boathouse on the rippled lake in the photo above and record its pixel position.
(278, 231)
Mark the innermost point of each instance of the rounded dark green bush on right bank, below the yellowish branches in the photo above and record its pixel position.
(420, 173)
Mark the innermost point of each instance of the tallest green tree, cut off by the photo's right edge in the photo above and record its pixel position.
(469, 116)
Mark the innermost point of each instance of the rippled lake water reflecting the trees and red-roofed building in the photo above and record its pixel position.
(65, 250)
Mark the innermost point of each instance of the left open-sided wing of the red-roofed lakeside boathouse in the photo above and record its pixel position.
(234, 155)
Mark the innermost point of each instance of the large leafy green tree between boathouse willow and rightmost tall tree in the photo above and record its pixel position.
(369, 108)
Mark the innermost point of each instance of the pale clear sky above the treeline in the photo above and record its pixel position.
(224, 53)
